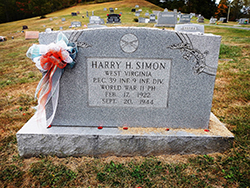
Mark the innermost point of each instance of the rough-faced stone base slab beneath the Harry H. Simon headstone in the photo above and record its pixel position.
(34, 140)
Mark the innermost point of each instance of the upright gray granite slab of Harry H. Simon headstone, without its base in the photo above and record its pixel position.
(167, 79)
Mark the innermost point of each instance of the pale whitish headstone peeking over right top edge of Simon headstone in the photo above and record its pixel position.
(190, 28)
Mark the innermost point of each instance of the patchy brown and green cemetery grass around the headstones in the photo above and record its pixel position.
(231, 104)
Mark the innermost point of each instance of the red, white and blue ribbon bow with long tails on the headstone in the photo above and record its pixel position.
(51, 60)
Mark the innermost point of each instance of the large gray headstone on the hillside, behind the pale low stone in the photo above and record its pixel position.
(166, 19)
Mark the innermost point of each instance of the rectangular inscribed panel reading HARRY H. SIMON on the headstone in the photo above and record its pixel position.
(120, 82)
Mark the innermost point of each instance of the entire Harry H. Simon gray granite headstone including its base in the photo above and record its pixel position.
(122, 81)
